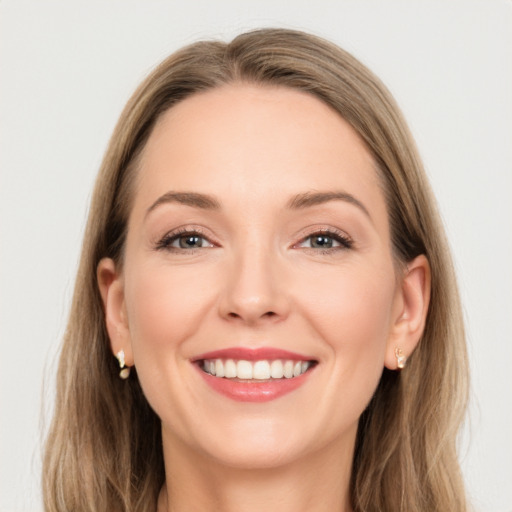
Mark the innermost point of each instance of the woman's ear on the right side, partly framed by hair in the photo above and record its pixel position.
(409, 310)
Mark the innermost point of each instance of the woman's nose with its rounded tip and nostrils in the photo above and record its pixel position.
(254, 290)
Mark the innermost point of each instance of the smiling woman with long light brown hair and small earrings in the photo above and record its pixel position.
(265, 314)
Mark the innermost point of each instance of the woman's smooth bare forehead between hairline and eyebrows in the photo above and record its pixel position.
(254, 142)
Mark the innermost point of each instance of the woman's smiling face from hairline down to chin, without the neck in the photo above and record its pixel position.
(258, 245)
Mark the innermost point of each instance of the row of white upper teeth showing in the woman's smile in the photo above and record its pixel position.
(255, 370)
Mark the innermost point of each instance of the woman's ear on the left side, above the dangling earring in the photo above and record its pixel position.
(111, 286)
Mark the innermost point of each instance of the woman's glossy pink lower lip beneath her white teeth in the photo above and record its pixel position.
(254, 391)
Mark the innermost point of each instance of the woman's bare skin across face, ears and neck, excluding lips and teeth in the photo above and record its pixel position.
(256, 281)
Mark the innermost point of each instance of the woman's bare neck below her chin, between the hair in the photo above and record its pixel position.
(317, 483)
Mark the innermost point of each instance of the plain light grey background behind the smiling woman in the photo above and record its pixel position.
(68, 67)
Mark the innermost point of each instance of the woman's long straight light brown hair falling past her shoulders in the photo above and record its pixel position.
(103, 450)
